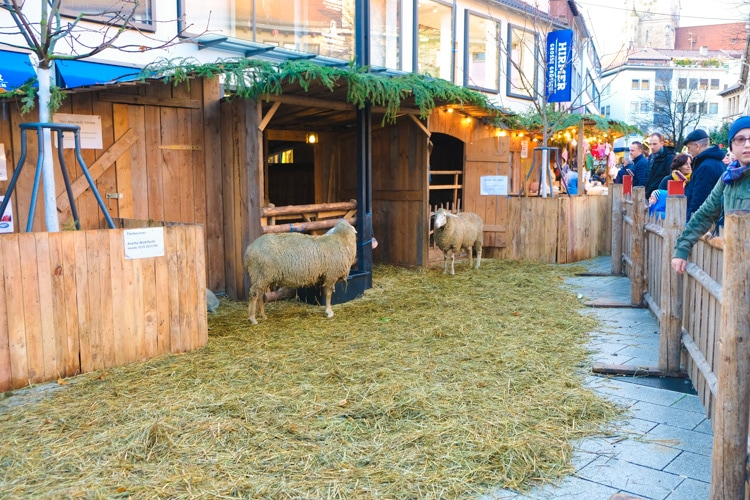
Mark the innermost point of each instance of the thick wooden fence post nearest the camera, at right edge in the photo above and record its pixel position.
(728, 470)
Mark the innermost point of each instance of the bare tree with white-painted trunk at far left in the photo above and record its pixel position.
(41, 27)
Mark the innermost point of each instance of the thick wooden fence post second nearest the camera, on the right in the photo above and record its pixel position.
(670, 309)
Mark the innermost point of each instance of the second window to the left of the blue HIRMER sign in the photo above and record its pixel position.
(481, 57)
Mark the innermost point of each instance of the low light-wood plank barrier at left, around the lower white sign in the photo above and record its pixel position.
(71, 303)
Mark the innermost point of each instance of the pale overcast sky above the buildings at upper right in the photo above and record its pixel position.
(603, 14)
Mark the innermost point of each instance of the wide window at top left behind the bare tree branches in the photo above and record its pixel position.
(108, 11)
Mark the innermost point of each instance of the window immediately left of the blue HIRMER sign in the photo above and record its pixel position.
(522, 63)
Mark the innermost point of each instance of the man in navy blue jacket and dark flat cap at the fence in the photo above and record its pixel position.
(707, 169)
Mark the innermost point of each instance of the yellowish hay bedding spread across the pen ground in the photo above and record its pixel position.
(429, 386)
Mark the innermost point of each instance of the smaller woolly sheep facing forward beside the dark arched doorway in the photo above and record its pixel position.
(454, 232)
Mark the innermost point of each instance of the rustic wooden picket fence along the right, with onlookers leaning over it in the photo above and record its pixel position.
(702, 330)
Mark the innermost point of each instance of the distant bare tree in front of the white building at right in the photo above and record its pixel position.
(678, 105)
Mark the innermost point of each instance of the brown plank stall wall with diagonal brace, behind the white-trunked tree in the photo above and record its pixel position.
(161, 160)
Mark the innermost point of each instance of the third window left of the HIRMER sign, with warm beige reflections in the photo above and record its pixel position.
(434, 36)
